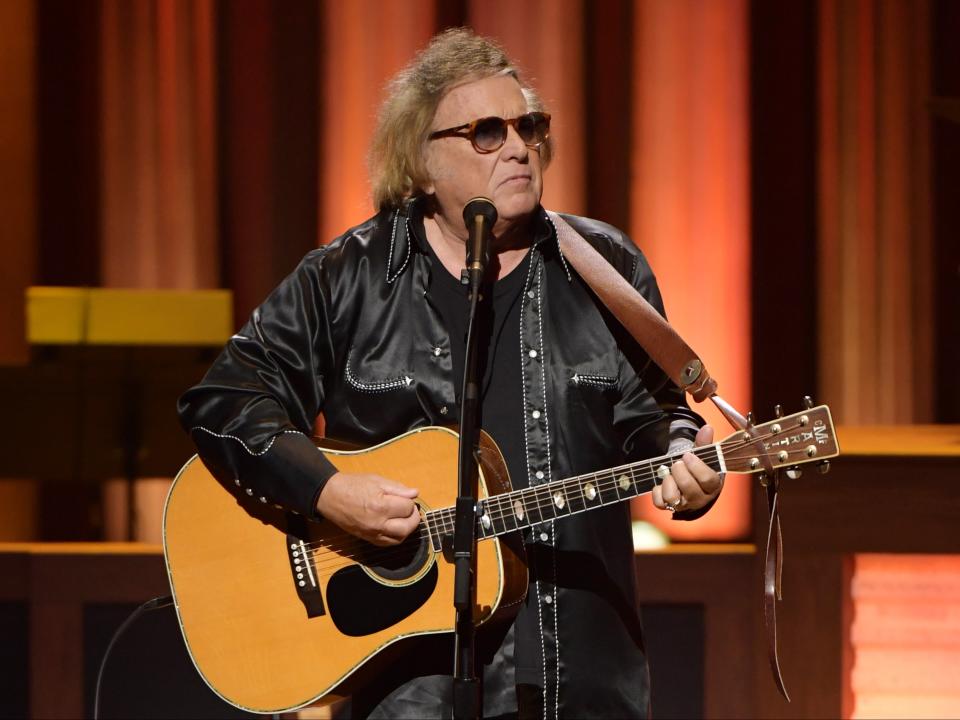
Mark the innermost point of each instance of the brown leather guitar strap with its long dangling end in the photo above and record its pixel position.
(682, 365)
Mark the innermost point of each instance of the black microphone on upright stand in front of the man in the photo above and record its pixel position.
(479, 216)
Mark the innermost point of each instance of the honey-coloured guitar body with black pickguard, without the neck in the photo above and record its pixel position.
(279, 612)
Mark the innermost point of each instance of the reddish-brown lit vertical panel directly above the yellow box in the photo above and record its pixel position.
(157, 114)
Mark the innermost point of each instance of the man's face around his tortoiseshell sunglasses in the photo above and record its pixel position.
(511, 176)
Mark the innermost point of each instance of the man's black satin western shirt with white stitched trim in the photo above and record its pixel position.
(354, 333)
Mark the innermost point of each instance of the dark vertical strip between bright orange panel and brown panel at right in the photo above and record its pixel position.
(783, 194)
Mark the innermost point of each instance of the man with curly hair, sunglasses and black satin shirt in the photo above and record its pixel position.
(369, 330)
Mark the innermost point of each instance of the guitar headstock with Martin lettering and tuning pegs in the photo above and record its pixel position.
(804, 437)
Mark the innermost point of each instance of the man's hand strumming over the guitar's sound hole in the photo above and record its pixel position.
(371, 507)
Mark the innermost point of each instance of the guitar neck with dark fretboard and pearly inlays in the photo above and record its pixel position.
(520, 509)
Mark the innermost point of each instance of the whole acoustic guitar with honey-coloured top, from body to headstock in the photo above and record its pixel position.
(280, 612)
